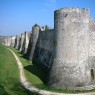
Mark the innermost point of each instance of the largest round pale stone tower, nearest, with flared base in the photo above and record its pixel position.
(70, 53)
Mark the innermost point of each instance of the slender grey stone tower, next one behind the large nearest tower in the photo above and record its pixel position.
(34, 39)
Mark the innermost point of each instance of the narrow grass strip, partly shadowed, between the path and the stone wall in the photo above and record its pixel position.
(36, 76)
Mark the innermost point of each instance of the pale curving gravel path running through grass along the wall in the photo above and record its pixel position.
(30, 87)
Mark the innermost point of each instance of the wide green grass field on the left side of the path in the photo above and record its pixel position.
(9, 75)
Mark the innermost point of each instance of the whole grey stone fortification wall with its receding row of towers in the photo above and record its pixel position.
(68, 51)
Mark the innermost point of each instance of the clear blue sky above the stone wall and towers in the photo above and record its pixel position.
(18, 16)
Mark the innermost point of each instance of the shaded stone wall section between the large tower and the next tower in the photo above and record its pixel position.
(43, 51)
